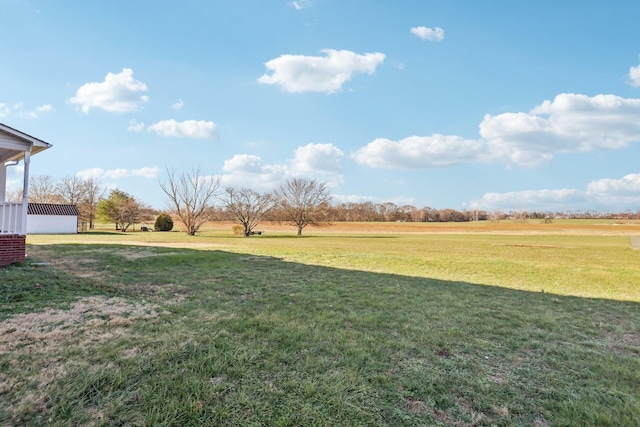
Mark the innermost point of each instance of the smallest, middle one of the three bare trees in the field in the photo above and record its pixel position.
(247, 206)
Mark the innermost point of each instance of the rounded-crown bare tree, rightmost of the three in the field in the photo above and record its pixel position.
(300, 202)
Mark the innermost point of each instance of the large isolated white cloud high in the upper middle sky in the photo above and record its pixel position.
(327, 74)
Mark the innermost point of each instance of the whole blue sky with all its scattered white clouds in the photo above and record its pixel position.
(495, 105)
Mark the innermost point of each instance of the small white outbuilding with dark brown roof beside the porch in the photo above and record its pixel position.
(47, 218)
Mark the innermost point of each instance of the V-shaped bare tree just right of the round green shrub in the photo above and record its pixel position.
(190, 197)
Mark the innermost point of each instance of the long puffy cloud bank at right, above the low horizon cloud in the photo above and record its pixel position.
(569, 123)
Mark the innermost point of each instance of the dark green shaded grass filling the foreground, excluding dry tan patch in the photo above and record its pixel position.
(244, 339)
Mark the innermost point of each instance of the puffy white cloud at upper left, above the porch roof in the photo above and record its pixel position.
(118, 93)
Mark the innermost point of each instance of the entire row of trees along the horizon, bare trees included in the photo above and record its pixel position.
(193, 199)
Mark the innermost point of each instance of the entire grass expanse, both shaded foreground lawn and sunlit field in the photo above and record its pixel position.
(368, 325)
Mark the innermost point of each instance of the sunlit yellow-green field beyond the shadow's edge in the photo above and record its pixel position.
(572, 257)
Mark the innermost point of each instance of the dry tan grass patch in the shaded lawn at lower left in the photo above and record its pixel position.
(44, 339)
